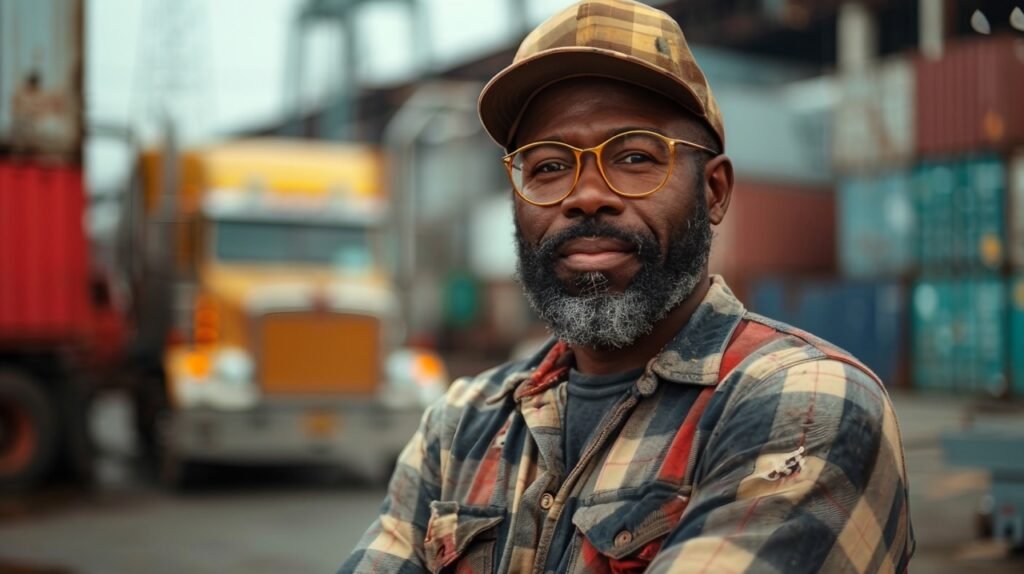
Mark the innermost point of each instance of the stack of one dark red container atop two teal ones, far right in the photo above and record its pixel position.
(969, 119)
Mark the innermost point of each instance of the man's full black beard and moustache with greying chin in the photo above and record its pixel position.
(595, 317)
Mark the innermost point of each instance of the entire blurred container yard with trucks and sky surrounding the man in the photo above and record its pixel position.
(244, 244)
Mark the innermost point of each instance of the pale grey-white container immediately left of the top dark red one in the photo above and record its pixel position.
(874, 122)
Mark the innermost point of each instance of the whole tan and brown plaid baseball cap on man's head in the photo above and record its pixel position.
(617, 39)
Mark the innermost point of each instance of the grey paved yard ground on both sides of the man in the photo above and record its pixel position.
(301, 522)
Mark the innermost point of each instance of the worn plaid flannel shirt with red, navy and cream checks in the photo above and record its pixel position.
(796, 466)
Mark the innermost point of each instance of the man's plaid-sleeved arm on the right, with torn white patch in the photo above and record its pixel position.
(803, 473)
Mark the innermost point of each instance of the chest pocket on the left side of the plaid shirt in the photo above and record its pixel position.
(462, 539)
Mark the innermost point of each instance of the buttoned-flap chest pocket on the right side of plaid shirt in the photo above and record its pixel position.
(623, 533)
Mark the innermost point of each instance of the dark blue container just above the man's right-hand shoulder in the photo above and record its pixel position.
(867, 319)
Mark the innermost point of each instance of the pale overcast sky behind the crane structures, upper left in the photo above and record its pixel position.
(231, 56)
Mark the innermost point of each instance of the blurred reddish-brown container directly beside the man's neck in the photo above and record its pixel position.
(776, 230)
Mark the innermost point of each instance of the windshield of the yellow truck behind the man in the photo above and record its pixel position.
(257, 242)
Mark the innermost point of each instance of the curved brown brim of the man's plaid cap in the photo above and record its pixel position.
(507, 95)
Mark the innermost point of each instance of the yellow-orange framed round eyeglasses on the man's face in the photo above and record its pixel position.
(634, 164)
